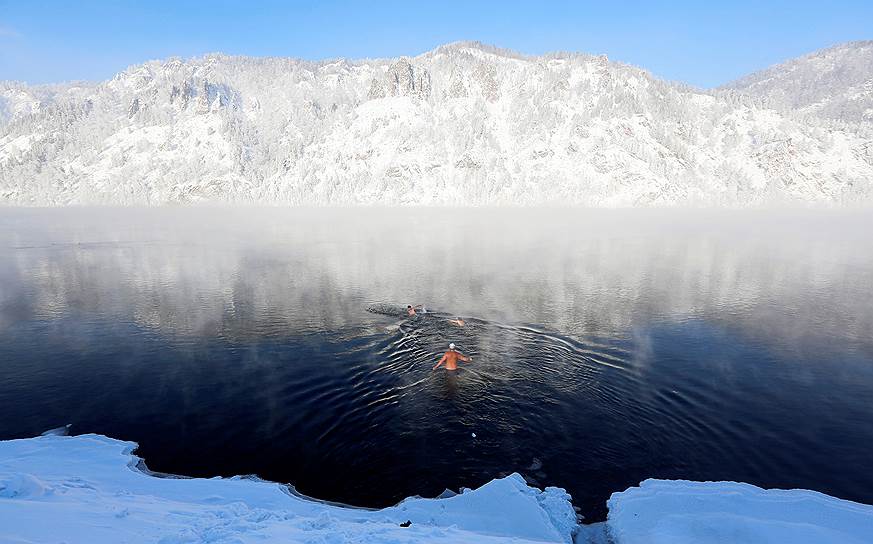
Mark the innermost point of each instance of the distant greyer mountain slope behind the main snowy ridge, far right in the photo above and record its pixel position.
(835, 83)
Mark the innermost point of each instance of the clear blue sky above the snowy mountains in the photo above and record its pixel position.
(703, 43)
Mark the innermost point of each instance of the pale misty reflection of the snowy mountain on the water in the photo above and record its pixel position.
(238, 273)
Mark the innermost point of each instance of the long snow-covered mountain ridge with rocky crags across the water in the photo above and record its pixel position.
(464, 124)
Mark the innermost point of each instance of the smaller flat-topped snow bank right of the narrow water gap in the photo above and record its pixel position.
(679, 512)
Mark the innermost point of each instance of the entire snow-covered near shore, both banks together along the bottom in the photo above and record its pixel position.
(92, 489)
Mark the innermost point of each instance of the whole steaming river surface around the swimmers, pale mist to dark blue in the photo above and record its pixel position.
(608, 347)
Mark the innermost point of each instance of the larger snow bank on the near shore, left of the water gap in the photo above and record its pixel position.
(88, 489)
